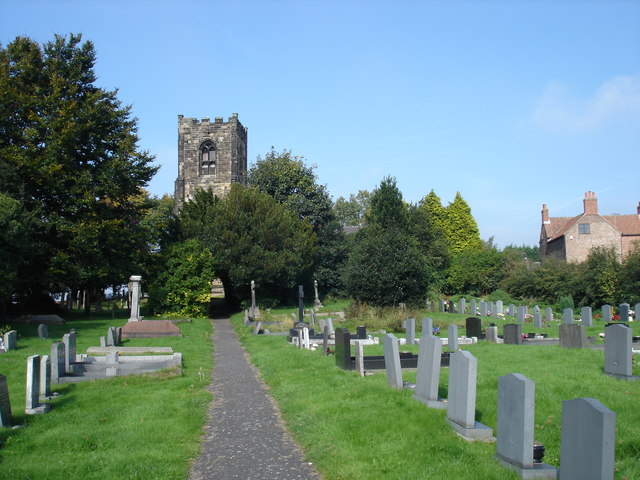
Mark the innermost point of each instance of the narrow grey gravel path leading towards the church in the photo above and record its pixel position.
(244, 437)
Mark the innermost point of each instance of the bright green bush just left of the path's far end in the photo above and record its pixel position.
(183, 287)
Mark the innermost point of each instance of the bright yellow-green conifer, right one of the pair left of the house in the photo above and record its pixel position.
(461, 228)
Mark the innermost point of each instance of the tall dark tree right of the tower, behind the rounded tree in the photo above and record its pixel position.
(290, 182)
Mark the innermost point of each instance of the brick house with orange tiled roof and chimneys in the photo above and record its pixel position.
(571, 238)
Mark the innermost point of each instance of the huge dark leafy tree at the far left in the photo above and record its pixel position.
(69, 156)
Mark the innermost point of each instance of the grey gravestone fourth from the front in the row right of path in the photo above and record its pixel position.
(428, 373)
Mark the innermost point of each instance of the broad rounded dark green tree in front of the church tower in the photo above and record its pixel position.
(252, 237)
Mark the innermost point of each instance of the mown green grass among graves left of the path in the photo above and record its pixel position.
(134, 427)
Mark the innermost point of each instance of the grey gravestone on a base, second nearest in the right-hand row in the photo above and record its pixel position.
(515, 428)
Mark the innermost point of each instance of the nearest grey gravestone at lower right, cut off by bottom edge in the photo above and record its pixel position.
(588, 440)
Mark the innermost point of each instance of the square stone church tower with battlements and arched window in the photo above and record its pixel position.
(210, 154)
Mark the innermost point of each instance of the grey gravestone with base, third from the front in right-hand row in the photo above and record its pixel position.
(461, 404)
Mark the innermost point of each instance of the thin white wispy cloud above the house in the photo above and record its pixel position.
(617, 99)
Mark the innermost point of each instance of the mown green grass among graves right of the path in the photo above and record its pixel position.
(359, 428)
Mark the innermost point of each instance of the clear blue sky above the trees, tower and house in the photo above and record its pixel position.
(511, 103)
